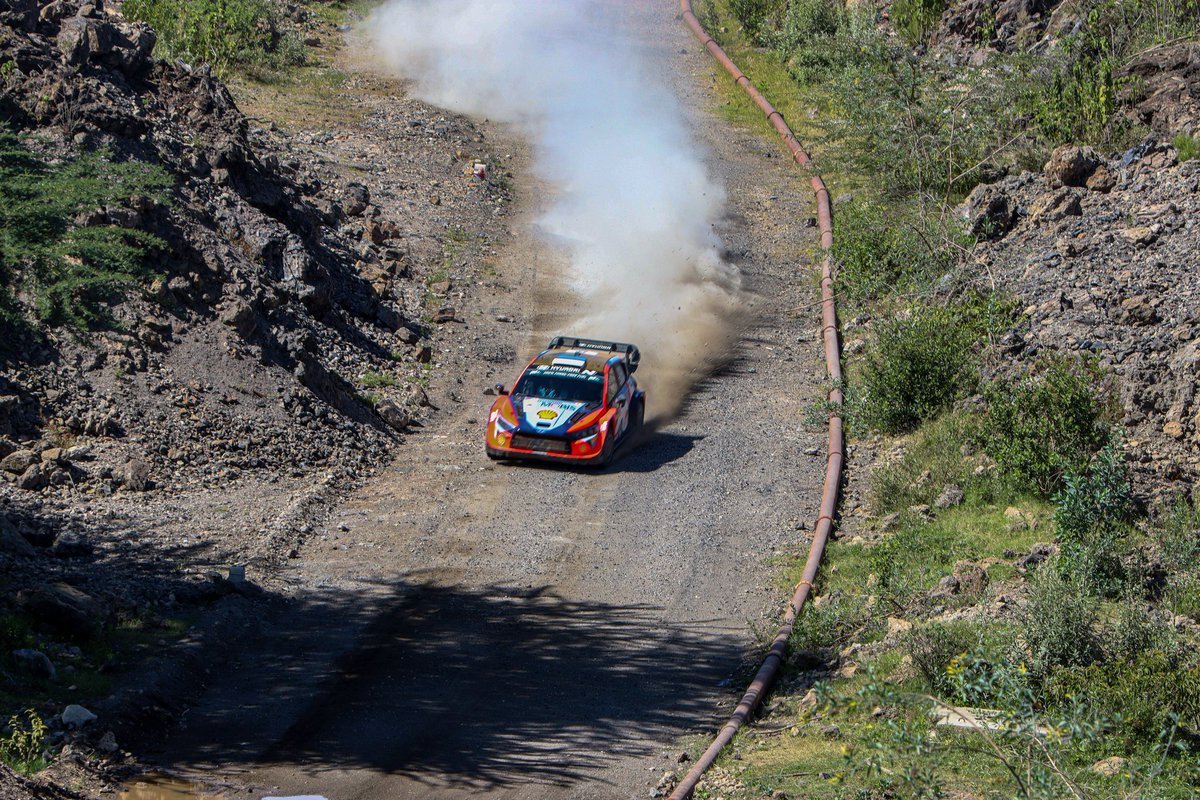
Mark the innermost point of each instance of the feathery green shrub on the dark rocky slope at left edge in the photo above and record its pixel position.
(68, 268)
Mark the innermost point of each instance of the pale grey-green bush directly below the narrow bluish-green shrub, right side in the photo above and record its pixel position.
(1060, 624)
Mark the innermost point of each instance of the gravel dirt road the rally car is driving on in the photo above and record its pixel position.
(463, 629)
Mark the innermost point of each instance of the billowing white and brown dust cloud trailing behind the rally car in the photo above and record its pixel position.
(633, 206)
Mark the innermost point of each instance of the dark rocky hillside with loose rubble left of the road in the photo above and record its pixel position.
(277, 353)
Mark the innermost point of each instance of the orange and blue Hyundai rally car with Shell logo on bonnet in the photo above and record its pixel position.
(577, 402)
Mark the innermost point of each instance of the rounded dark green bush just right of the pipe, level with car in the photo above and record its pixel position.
(917, 368)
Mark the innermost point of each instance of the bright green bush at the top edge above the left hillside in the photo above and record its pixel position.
(221, 33)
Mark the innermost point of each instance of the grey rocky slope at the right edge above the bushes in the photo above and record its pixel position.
(1103, 255)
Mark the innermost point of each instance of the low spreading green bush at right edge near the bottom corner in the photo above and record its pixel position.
(1144, 691)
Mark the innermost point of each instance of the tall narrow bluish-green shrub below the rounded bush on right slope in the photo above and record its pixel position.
(1091, 515)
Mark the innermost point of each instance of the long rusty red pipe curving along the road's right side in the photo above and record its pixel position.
(837, 453)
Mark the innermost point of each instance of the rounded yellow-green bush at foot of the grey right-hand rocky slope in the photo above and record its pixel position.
(1047, 424)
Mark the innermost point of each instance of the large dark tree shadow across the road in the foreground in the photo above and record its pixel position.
(459, 688)
